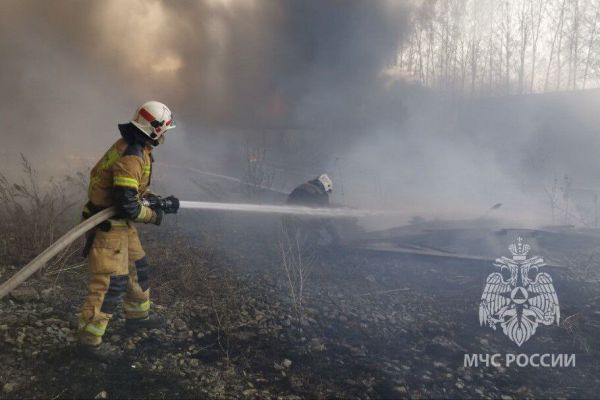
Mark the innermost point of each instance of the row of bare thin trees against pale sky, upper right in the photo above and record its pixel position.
(503, 47)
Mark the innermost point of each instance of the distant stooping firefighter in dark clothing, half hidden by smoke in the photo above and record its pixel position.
(307, 231)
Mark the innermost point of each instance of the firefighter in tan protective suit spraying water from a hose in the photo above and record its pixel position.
(117, 262)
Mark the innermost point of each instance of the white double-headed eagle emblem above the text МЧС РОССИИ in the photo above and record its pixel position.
(520, 303)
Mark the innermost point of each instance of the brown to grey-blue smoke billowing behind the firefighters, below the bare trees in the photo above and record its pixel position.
(303, 79)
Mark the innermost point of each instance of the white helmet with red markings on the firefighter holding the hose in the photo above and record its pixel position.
(154, 119)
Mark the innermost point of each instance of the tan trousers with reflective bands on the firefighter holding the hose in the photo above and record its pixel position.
(118, 274)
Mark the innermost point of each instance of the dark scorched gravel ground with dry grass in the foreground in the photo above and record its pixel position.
(372, 325)
